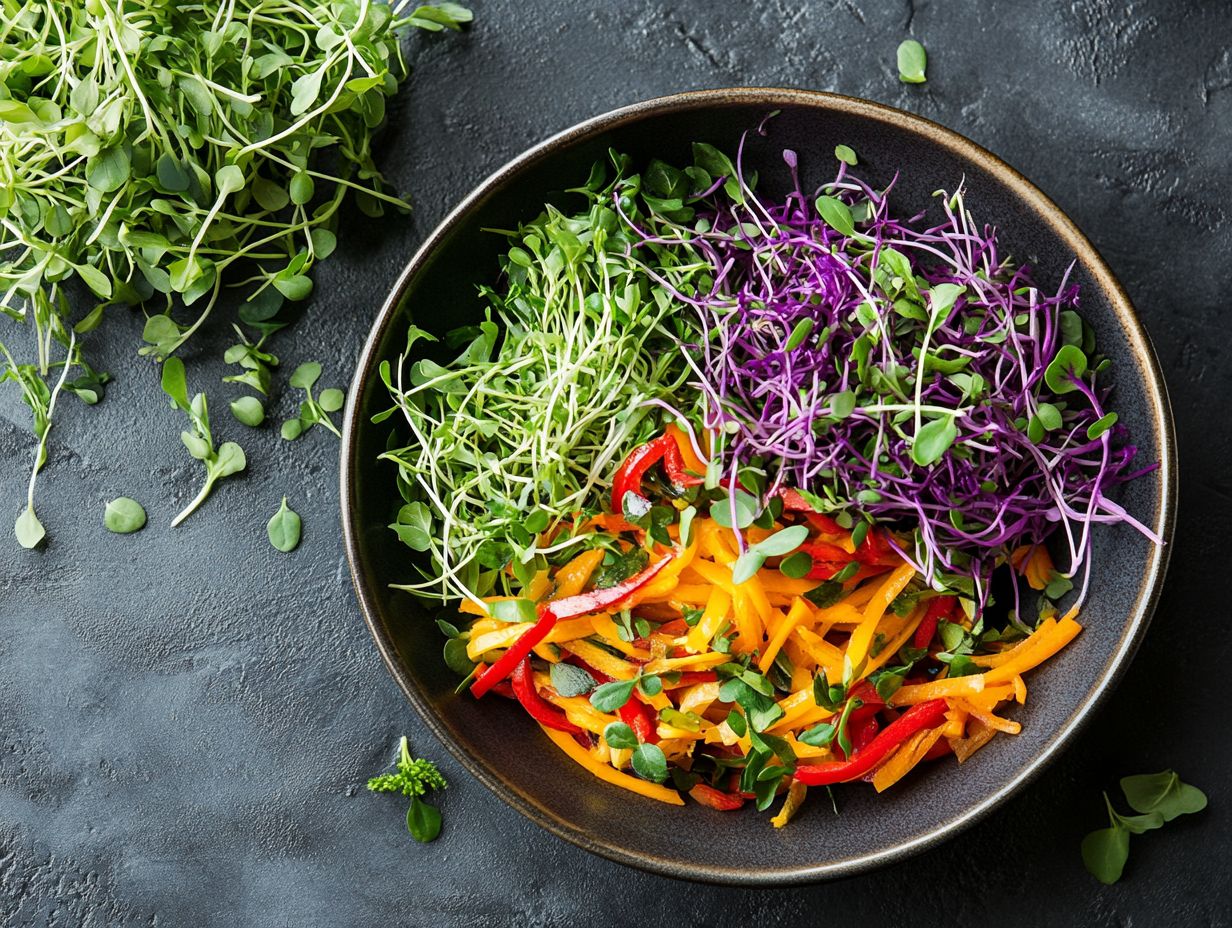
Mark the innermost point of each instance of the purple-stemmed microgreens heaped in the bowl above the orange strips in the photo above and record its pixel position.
(923, 380)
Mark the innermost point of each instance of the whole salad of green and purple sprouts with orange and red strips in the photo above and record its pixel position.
(739, 496)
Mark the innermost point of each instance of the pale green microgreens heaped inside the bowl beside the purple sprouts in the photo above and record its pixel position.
(486, 437)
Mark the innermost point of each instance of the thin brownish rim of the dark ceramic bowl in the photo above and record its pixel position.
(1040, 205)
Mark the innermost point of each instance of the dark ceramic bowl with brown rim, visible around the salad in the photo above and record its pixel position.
(496, 740)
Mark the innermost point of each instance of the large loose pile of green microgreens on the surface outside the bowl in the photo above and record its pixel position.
(157, 152)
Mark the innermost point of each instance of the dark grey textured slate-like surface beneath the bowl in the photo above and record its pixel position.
(188, 717)
